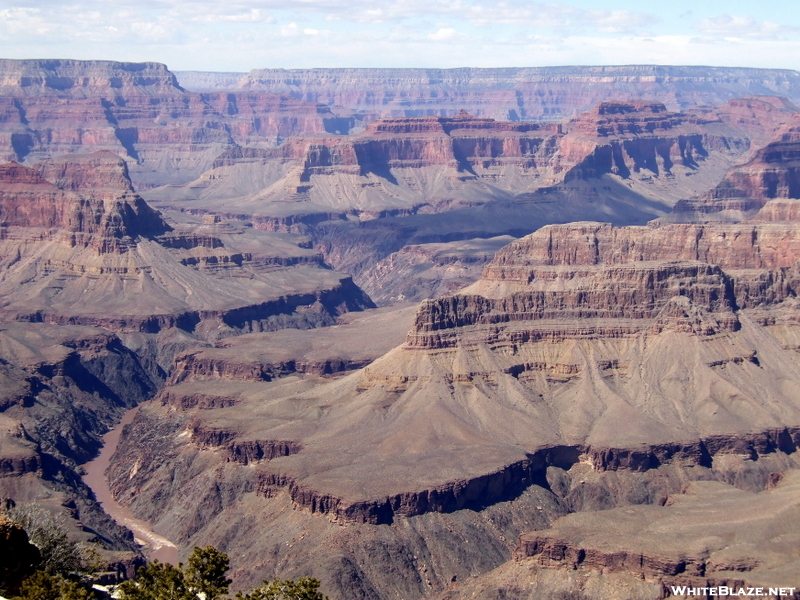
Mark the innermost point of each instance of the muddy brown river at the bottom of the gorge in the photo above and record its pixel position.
(154, 545)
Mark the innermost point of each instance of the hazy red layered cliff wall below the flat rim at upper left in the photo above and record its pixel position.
(137, 110)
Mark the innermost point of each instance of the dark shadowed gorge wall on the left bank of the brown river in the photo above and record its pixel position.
(62, 388)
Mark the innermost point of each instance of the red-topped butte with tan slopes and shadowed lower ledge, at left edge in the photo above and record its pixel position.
(93, 252)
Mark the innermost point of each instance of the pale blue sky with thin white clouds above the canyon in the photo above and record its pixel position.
(239, 35)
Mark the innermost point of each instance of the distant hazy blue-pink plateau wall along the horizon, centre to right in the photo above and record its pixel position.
(544, 93)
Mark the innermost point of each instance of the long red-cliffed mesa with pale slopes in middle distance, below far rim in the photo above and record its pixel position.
(435, 164)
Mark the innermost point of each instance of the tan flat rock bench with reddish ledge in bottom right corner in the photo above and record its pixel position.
(709, 536)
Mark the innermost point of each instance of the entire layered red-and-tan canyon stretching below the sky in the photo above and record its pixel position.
(478, 334)
